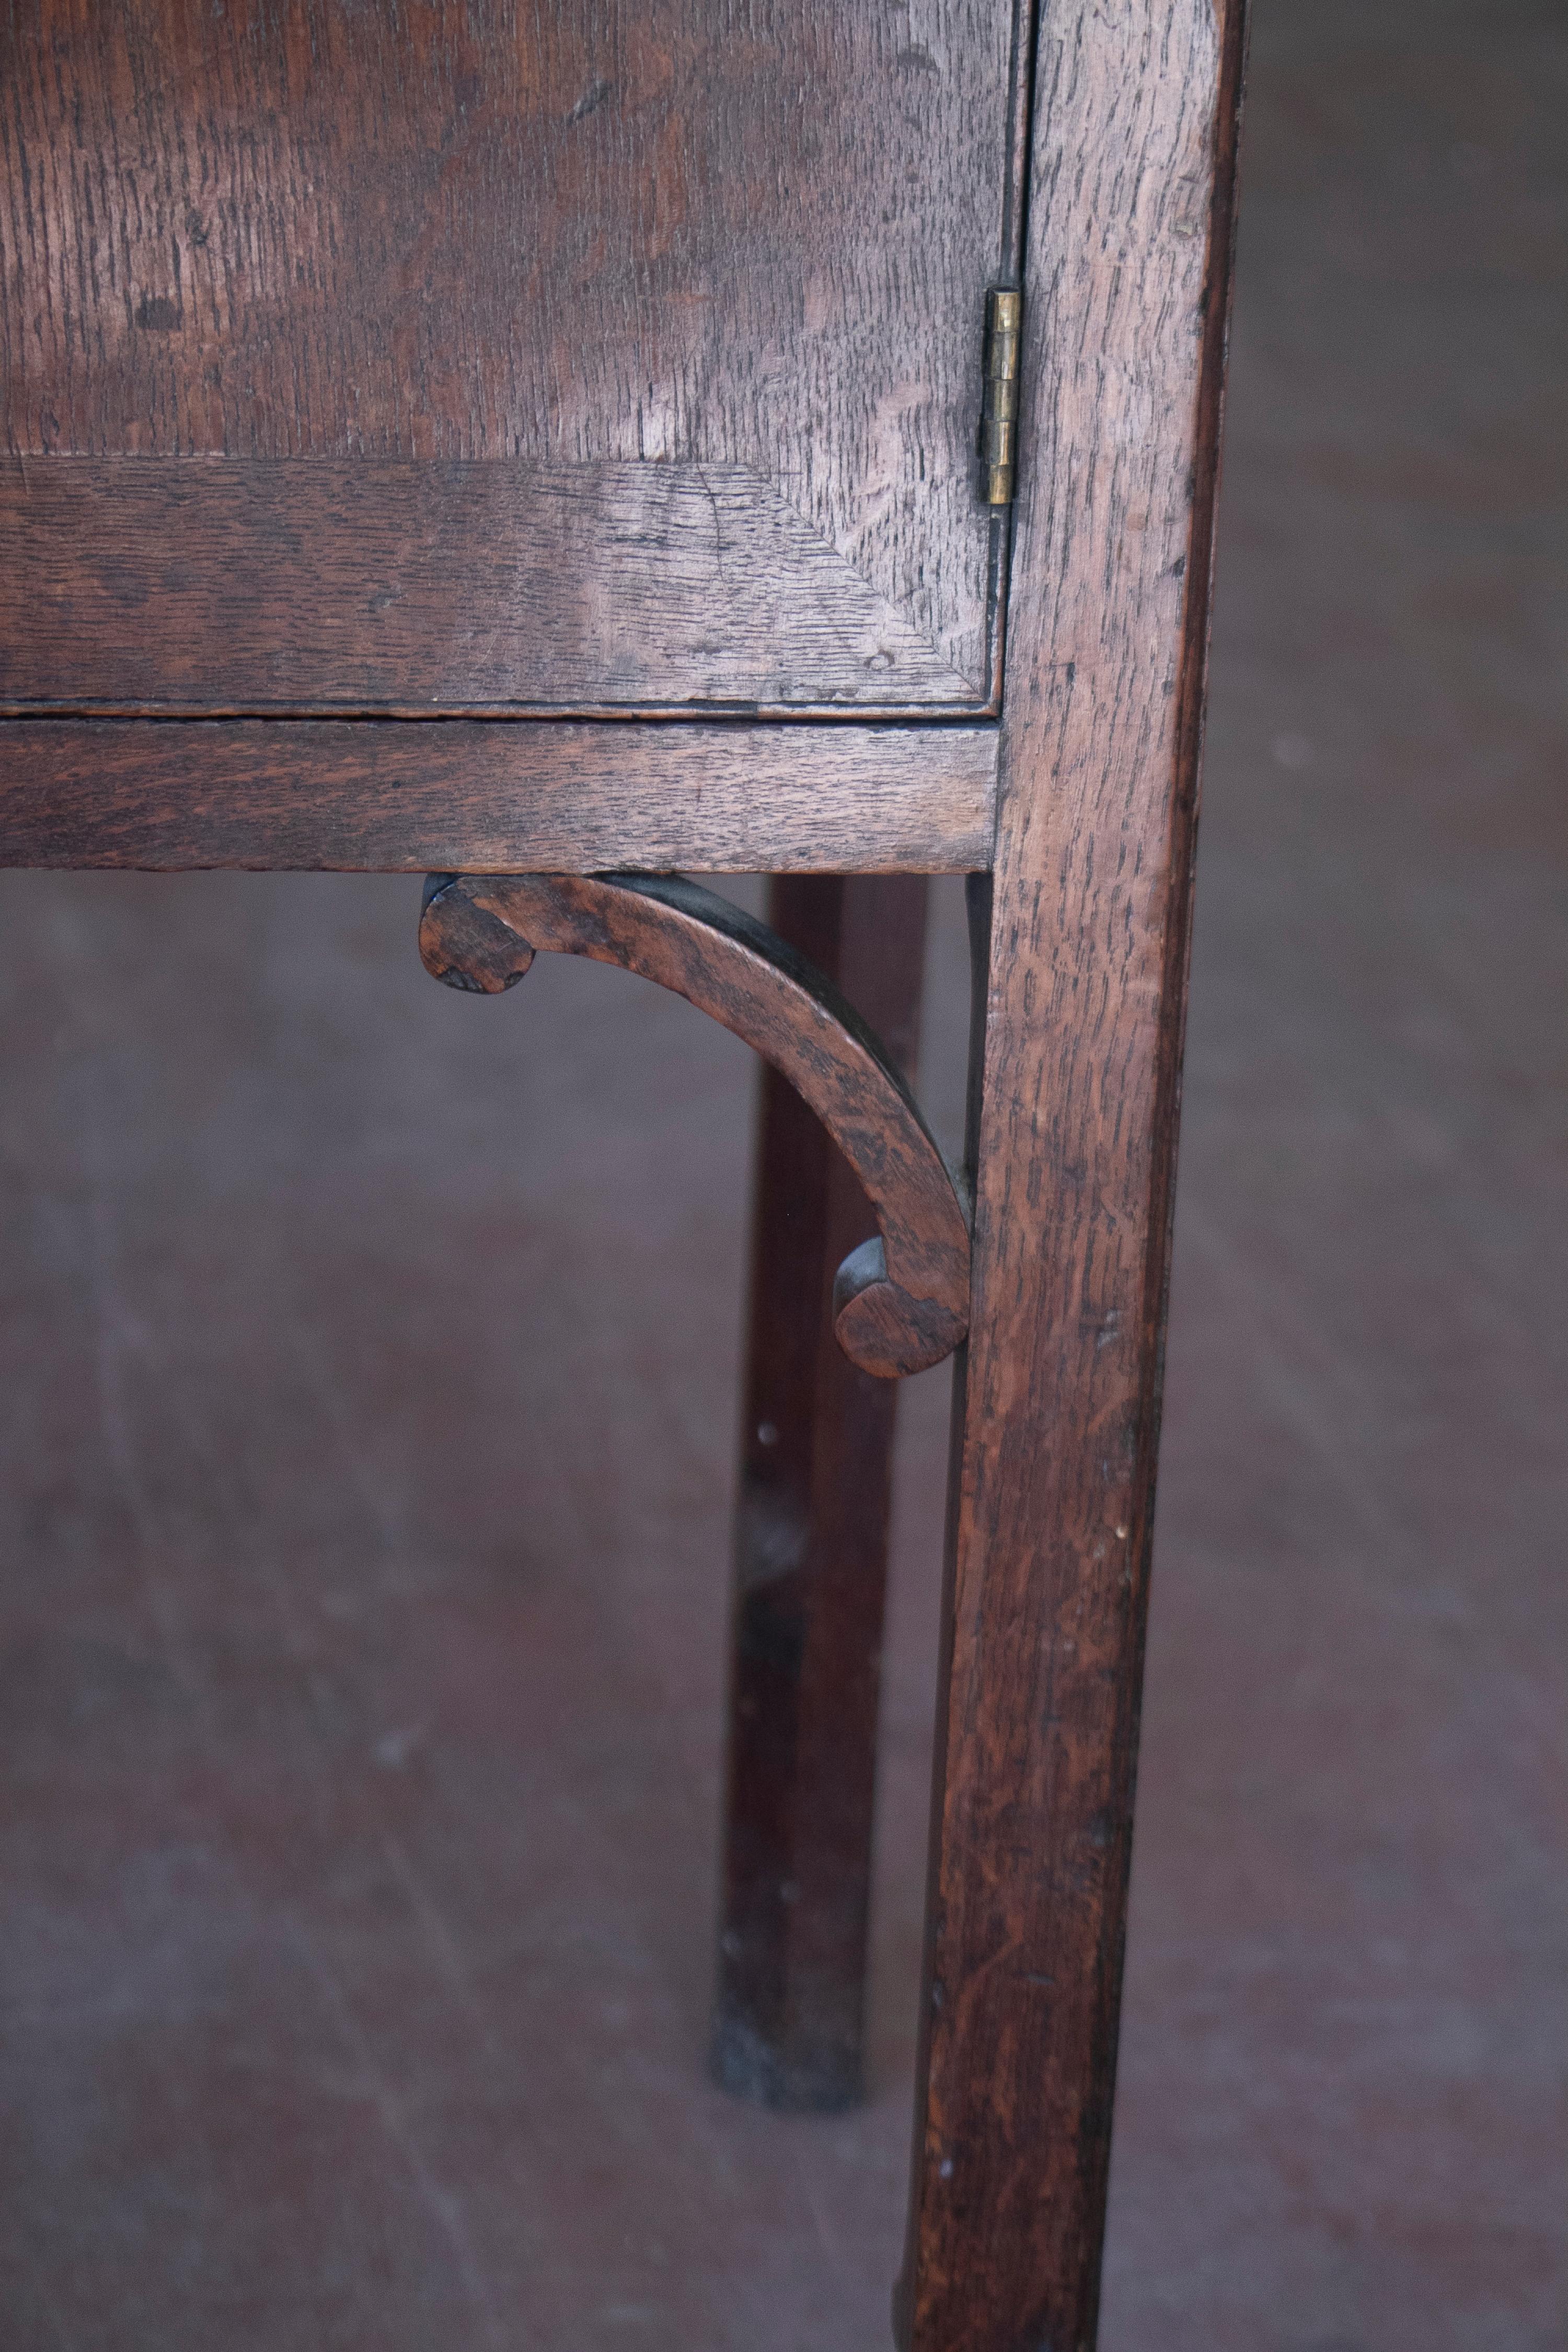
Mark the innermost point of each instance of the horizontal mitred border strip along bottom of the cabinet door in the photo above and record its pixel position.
(445, 587)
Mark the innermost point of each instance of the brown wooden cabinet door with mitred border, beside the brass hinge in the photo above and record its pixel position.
(699, 293)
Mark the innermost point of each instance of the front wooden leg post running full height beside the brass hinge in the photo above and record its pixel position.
(1125, 342)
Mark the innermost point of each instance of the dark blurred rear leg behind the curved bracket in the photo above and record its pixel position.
(812, 1544)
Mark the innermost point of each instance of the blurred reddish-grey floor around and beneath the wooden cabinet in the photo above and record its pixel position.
(366, 1476)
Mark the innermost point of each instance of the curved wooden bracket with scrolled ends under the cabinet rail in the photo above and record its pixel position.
(899, 1302)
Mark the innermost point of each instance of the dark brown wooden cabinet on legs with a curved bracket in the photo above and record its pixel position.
(540, 448)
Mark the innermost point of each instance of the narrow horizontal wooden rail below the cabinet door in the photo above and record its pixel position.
(495, 796)
